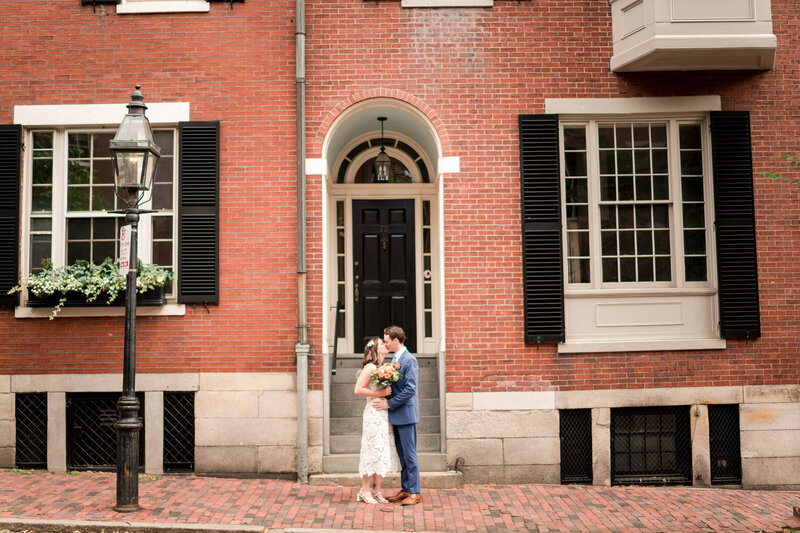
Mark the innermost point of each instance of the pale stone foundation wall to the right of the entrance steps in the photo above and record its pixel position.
(513, 437)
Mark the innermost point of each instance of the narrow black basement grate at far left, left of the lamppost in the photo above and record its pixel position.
(31, 413)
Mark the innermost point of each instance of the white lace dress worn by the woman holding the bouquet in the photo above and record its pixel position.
(378, 454)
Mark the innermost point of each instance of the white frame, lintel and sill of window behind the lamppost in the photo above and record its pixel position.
(64, 119)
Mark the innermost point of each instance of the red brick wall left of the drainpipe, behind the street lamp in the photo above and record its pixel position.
(235, 66)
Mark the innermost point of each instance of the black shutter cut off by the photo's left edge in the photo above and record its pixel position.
(10, 152)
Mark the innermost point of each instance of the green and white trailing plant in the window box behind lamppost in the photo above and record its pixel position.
(93, 281)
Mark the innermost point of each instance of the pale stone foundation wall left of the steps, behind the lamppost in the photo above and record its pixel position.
(244, 422)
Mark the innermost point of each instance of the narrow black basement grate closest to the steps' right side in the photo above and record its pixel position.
(575, 428)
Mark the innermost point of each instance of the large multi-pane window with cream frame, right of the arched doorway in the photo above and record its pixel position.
(635, 202)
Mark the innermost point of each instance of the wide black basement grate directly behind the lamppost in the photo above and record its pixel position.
(91, 435)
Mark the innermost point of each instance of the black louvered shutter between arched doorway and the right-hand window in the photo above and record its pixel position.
(541, 228)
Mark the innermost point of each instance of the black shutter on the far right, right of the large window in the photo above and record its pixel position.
(735, 225)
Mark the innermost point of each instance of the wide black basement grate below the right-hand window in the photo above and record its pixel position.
(651, 446)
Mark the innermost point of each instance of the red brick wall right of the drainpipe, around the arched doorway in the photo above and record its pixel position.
(478, 69)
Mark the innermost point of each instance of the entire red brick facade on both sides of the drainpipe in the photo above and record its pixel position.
(476, 70)
